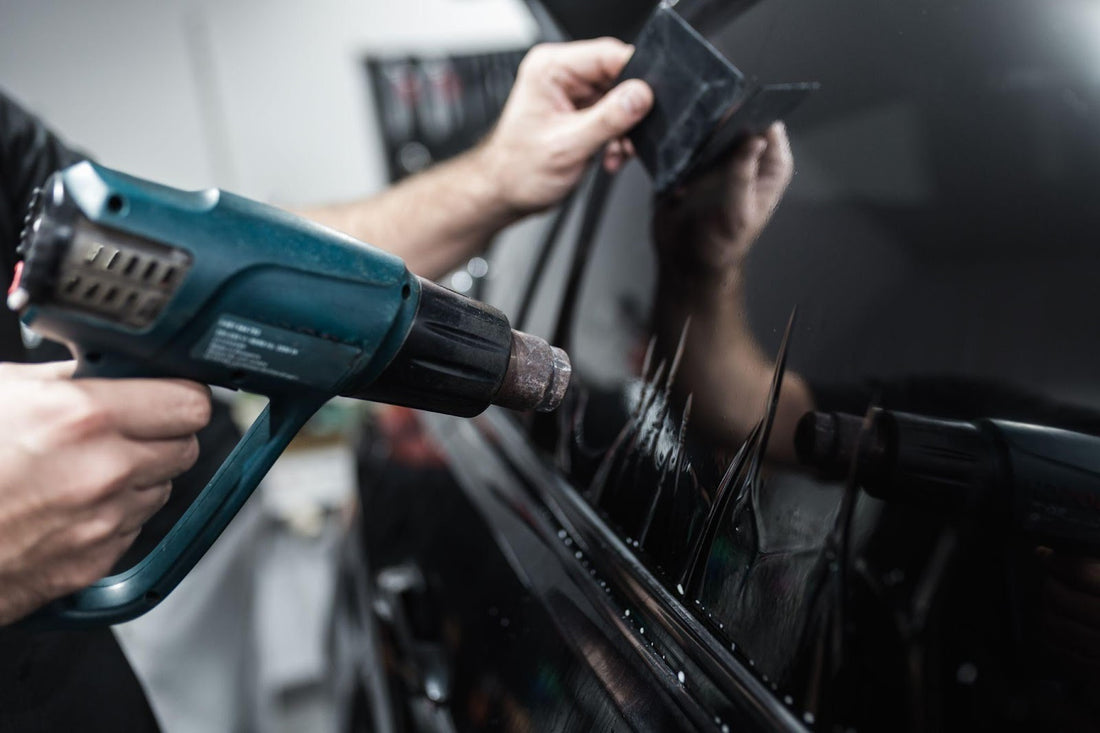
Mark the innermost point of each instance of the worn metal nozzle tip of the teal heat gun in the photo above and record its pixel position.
(538, 376)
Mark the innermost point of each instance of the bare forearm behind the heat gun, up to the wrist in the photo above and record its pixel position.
(434, 221)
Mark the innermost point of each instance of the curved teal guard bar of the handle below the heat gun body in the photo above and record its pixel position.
(135, 592)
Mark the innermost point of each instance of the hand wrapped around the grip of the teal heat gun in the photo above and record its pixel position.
(83, 466)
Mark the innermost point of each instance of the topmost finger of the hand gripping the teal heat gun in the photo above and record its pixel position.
(151, 409)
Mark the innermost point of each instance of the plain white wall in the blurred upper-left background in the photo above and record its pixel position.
(268, 99)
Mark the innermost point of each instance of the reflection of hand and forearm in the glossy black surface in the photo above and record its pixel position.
(703, 234)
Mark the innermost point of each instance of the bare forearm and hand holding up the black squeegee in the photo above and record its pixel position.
(559, 115)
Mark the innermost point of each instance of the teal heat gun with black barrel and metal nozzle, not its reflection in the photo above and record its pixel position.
(141, 280)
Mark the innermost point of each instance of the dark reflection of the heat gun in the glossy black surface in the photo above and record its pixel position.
(1044, 480)
